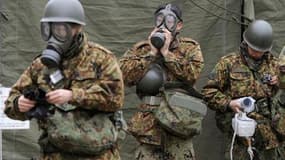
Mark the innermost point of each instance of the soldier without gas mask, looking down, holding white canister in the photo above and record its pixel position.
(250, 72)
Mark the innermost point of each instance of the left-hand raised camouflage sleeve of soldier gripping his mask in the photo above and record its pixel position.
(135, 63)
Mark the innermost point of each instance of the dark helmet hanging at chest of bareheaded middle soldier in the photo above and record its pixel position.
(151, 82)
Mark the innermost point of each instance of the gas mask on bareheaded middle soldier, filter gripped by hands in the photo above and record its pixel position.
(164, 19)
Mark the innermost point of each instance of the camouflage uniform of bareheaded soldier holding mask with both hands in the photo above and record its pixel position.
(184, 62)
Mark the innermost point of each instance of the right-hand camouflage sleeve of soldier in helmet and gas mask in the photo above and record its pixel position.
(104, 91)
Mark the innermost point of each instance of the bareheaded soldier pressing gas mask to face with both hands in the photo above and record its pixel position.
(163, 62)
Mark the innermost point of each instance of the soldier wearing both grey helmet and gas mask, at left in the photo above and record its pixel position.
(72, 89)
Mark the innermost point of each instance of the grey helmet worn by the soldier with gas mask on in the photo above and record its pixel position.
(64, 11)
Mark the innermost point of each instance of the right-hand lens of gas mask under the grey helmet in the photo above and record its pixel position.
(61, 31)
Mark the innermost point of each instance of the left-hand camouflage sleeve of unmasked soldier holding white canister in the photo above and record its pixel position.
(214, 90)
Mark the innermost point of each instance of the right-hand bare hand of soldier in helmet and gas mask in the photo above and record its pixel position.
(59, 96)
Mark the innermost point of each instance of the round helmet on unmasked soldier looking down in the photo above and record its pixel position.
(259, 36)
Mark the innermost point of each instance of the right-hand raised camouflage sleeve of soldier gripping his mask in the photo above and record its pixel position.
(186, 67)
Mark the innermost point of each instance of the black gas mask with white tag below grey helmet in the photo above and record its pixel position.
(59, 42)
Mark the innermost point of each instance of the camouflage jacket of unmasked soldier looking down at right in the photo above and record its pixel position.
(231, 79)
